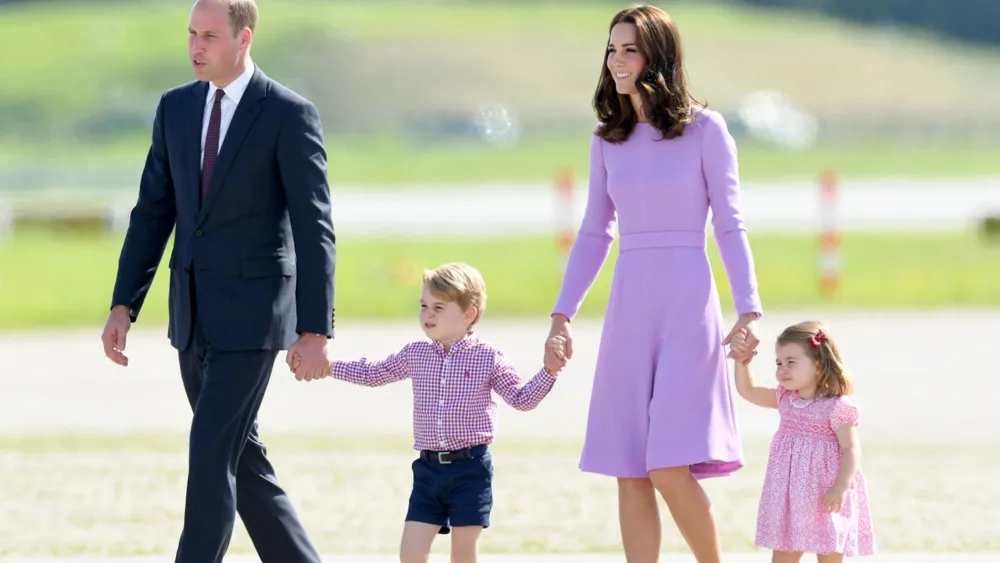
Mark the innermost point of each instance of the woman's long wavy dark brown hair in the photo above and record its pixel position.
(662, 86)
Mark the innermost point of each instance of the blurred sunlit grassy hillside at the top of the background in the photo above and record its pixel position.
(535, 53)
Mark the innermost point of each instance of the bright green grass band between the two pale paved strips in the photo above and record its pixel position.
(48, 280)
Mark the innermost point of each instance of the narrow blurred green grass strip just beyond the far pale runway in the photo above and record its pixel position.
(359, 162)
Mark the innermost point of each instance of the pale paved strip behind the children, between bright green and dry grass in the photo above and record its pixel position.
(921, 377)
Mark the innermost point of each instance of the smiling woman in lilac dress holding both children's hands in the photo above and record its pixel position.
(661, 412)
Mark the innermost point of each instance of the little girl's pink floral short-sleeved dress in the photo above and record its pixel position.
(804, 461)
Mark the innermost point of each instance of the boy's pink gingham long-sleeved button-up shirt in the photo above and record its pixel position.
(453, 406)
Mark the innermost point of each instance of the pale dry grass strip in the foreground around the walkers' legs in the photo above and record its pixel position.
(123, 495)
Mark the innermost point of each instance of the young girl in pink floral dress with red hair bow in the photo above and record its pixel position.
(815, 499)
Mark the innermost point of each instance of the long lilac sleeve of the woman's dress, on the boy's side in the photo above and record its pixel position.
(594, 238)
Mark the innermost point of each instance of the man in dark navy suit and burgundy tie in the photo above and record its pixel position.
(237, 169)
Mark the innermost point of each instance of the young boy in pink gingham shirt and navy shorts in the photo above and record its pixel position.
(454, 374)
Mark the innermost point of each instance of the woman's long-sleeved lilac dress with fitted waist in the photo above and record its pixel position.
(662, 395)
